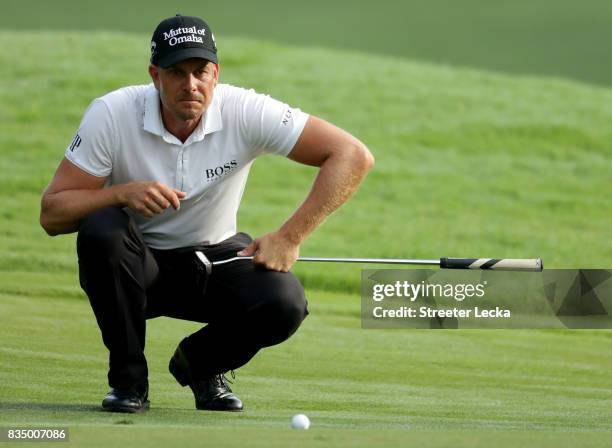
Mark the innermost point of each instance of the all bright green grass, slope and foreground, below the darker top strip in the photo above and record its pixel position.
(468, 164)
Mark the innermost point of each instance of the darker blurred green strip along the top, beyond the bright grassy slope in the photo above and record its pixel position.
(561, 38)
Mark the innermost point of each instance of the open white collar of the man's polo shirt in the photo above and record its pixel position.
(152, 120)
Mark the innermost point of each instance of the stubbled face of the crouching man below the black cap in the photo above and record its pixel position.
(186, 88)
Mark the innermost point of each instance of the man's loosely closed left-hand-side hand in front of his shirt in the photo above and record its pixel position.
(150, 198)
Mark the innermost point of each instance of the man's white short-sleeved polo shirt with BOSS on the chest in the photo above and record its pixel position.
(122, 138)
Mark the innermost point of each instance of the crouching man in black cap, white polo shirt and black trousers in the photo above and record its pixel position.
(156, 173)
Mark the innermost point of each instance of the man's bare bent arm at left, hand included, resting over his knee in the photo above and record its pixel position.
(74, 194)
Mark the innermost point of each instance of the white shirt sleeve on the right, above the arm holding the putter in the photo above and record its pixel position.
(271, 126)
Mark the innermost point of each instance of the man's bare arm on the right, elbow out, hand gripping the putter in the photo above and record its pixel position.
(343, 161)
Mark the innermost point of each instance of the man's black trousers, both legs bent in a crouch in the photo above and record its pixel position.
(245, 307)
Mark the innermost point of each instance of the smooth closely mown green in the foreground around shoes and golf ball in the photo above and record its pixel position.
(365, 388)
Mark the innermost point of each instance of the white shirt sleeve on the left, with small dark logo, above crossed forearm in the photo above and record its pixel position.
(92, 146)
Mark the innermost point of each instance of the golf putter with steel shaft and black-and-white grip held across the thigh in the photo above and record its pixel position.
(503, 264)
